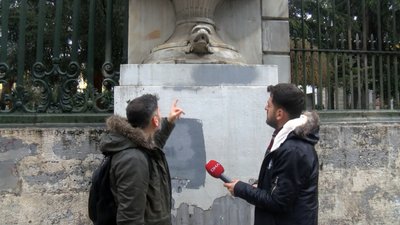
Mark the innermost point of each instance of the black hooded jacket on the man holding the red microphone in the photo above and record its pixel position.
(287, 190)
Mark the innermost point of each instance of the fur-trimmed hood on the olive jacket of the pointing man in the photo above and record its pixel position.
(121, 135)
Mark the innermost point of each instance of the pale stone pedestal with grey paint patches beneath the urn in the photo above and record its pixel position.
(224, 120)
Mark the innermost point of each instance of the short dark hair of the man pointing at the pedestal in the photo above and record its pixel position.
(140, 110)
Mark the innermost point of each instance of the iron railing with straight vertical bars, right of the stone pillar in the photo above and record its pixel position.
(345, 53)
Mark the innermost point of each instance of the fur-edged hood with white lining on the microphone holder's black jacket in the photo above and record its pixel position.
(305, 127)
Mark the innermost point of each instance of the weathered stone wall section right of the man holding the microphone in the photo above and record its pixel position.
(359, 177)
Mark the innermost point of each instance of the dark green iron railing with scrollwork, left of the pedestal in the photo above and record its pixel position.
(61, 56)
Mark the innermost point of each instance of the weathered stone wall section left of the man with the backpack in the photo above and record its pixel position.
(45, 174)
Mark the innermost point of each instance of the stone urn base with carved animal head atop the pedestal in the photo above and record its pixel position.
(195, 39)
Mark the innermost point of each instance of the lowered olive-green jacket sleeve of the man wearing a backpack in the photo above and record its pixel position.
(131, 179)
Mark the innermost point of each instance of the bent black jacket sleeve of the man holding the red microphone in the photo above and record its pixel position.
(289, 168)
